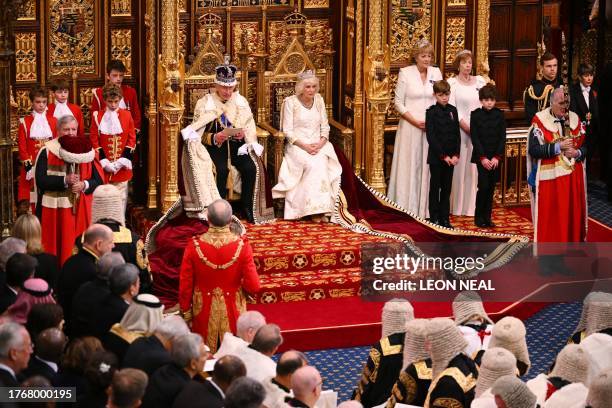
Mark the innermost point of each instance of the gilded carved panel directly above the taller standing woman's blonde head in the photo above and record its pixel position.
(410, 21)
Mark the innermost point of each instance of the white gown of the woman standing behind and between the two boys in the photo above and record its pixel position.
(465, 176)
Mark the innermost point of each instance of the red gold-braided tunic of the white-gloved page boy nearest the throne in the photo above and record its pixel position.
(113, 147)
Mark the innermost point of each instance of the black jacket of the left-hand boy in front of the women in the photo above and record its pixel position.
(442, 126)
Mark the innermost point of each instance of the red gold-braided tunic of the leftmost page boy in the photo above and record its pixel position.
(28, 150)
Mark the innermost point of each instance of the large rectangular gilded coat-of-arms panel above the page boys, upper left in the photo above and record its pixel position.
(72, 41)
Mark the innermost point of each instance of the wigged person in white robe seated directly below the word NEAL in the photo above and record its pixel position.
(473, 321)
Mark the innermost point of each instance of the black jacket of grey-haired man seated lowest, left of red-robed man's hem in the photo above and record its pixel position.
(164, 386)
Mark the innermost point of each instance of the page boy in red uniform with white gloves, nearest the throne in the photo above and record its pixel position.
(112, 133)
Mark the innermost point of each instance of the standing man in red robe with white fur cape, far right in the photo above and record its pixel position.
(556, 174)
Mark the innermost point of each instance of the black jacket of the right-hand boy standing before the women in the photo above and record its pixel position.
(488, 133)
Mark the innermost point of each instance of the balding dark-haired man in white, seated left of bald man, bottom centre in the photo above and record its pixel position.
(279, 387)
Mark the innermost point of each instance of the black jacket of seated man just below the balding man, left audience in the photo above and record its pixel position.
(85, 302)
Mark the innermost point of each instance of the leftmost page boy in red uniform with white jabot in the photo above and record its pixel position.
(34, 131)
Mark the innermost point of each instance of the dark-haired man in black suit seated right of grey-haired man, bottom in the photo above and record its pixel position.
(211, 392)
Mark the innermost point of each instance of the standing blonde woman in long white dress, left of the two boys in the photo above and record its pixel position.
(409, 184)
